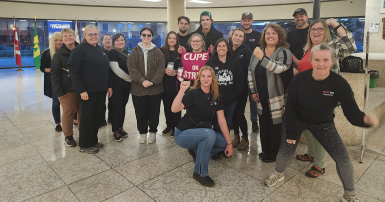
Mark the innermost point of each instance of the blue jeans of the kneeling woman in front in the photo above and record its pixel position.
(206, 142)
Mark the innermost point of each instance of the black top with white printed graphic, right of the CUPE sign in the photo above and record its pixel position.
(230, 77)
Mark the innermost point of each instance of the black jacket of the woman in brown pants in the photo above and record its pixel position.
(61, 82)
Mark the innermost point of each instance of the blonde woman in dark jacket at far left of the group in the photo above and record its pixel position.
(55, 43)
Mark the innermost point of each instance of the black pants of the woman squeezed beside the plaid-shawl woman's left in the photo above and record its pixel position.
(239, 119)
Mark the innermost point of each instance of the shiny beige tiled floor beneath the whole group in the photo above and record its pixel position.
(36, 166)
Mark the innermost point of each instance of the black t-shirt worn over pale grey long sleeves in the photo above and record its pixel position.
(115, 56)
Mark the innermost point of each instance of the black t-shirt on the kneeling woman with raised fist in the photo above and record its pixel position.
(200, 106)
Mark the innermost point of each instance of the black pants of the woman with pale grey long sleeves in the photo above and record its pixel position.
(118, 103)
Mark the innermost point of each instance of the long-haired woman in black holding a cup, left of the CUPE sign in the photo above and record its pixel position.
(170, 82)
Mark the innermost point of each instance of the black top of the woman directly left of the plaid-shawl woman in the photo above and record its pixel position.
(243, 53)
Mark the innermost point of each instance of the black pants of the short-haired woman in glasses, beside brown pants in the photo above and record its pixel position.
(91, 111)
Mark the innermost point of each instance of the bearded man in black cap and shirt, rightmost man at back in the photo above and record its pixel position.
(297, 37)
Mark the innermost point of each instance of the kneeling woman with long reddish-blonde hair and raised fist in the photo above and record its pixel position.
(194, 132)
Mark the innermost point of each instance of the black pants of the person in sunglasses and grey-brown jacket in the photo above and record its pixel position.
(147, 109)
